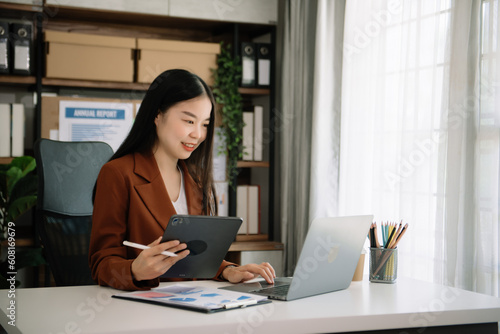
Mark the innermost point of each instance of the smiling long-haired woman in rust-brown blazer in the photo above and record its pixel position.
(163, 167)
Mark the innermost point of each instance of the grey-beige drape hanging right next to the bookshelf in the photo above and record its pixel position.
(295, 108)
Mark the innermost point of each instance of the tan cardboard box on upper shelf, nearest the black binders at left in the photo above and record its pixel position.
(89, 57)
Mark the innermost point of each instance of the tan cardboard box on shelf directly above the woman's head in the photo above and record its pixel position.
(156, 56)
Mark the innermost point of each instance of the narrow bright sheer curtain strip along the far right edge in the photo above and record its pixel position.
(488, 147)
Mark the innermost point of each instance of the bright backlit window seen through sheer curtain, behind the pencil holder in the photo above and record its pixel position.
(394, 94)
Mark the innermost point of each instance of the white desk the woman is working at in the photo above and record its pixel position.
(363, 306)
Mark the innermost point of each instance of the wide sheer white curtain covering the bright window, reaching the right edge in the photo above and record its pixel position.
(417, 143)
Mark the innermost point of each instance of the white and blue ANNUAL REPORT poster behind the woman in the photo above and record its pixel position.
(109, 122)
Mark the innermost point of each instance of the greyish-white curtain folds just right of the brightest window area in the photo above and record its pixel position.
(457, 177)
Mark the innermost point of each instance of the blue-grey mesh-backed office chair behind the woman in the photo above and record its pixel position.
(67, 172)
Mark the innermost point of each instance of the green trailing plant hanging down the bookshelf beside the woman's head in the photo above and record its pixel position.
(226, 83)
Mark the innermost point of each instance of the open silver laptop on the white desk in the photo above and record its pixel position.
(327, 261)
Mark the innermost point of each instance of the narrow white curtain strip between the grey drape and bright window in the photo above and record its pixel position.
(325, 144)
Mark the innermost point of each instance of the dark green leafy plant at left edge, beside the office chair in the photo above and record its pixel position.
(18, 194)
